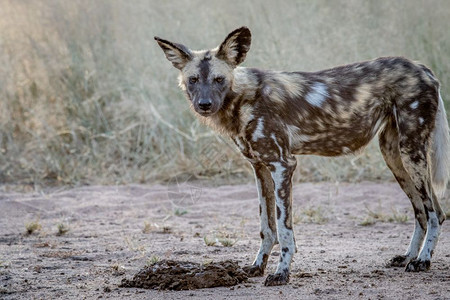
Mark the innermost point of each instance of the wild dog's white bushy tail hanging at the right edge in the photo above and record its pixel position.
(441, 147)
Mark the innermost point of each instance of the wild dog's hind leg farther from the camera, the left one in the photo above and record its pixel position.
(389, 146)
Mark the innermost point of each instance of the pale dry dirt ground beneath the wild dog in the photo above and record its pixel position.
(345, 234)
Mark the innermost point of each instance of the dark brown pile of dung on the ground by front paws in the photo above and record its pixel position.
(181, 275)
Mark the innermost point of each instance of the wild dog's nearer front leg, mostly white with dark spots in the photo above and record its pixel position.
(281, 172)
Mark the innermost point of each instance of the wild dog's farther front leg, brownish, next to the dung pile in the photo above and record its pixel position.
(267, 216)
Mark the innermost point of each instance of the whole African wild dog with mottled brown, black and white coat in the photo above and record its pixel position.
(273, 115)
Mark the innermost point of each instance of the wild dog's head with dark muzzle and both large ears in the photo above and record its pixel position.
(207, 75)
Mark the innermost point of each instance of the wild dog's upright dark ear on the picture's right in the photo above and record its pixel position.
(235, 47)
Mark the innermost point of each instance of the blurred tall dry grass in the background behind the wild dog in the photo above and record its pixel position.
(87, 96)
